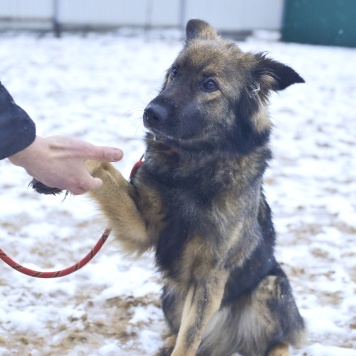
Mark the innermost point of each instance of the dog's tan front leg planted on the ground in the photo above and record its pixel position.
(203, 300)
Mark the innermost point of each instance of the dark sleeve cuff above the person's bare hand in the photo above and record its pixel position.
(17, 130)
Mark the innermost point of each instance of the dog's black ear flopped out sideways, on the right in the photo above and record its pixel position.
(273, 75)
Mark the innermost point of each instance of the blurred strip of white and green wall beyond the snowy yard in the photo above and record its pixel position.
(326, 22)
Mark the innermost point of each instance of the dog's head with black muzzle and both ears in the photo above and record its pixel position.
(215, 96)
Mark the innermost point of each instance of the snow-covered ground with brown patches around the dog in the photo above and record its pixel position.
(95, 87)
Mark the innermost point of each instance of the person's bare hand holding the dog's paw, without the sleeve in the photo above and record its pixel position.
(59, 162)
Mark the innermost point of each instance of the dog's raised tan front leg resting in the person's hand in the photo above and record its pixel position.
(116, 198)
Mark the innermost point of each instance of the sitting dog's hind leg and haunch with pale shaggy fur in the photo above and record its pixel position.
(262, 323)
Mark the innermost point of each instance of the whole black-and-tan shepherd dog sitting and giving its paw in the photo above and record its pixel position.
(198, 201)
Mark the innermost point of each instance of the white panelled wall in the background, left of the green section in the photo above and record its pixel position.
(229, 15)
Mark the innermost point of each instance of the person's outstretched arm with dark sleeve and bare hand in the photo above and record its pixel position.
(56, 161)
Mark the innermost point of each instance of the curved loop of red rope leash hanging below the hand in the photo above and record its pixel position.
(55, 274)
